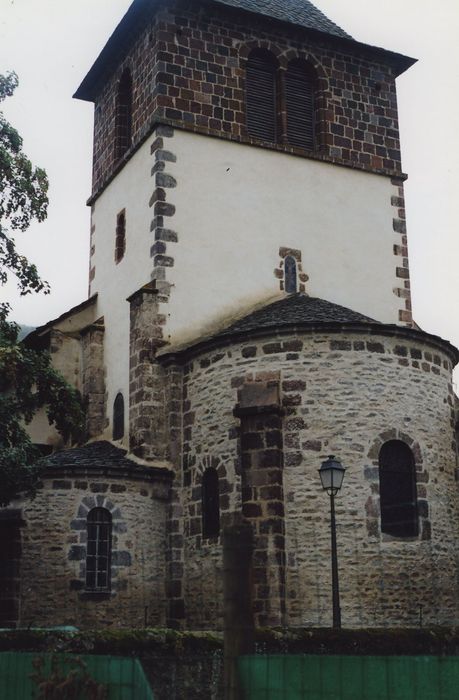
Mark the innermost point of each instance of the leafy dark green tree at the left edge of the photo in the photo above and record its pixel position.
(28, 381)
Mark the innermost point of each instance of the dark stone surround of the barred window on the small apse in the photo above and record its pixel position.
(120, 558)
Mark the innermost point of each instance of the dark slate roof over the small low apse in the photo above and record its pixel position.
(99, 455)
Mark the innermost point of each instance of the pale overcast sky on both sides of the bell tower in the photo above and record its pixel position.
(52, 43)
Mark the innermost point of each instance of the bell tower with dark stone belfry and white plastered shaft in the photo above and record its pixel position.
(232, 141)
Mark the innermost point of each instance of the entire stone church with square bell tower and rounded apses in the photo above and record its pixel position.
(248, 315)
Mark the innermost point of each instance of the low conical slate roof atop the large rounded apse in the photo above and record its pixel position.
(296, 309)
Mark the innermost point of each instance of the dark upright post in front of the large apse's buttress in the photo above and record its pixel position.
(238, 615)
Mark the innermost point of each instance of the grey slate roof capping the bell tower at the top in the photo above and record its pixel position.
(300, 12)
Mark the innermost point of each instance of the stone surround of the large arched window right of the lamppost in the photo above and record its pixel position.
(372, 504)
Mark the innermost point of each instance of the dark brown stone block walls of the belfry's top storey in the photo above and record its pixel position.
(188, 70)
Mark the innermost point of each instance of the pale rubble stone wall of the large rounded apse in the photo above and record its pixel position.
(343, 394)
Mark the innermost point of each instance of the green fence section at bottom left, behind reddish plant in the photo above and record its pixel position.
(124, 677)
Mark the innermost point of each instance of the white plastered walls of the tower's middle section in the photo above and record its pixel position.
(235, 206)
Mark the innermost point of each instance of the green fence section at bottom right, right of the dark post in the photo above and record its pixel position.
(295, 677)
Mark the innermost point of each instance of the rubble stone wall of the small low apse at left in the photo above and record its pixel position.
(54, 553)
